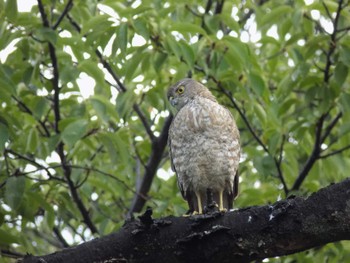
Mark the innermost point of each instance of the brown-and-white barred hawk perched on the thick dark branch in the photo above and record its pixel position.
(204, 147)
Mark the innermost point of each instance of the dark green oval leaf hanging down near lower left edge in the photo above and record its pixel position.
(14, 191)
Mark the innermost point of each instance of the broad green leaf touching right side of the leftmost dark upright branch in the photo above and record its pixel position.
(74, 131)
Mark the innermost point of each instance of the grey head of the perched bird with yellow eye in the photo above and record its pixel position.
(185, 90)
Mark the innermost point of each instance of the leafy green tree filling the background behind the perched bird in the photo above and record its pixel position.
(84, 118)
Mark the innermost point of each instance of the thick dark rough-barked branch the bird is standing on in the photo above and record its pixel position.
(253, 233)
